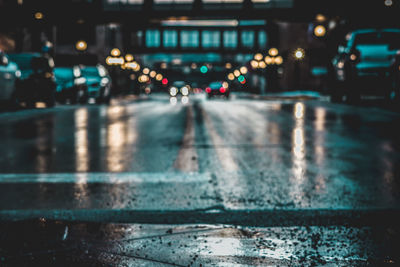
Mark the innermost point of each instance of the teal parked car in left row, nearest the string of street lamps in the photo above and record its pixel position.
(99, 83)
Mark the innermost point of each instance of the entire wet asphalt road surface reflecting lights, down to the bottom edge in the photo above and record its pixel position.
(212, 182)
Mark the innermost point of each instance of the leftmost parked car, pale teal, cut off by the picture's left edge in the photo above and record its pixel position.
(9, 73)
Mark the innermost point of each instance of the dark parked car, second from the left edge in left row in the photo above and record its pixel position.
(36, 83)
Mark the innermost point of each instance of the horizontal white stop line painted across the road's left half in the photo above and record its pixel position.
(105, 178)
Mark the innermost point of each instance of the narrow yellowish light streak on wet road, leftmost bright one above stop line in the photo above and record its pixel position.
(81, 140)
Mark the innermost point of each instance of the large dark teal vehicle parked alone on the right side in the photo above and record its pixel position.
(363, 66)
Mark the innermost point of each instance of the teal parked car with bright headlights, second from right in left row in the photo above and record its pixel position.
(71, 85)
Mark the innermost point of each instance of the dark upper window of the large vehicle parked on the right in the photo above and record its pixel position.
(378, 38)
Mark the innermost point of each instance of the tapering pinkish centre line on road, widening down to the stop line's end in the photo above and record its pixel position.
(187, 159)
